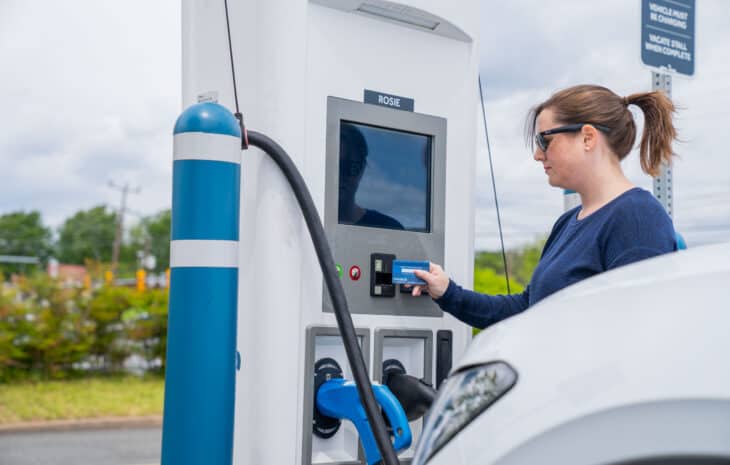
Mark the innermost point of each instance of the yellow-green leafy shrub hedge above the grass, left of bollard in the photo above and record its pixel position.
(49, 331)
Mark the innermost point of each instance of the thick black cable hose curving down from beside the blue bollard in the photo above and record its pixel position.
(334, 286)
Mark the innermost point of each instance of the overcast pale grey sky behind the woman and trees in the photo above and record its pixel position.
(90, 90)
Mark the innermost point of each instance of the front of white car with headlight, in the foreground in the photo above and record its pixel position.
(629, 367)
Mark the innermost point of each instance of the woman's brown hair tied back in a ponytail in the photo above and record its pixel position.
(598, 105)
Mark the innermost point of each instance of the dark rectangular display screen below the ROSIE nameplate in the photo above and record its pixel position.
(385, 178)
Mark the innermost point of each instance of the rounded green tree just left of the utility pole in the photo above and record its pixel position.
(88, 235)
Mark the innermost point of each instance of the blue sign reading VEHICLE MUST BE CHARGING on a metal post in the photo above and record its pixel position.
(668, 35)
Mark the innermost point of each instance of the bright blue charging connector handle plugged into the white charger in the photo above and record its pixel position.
(338, 398)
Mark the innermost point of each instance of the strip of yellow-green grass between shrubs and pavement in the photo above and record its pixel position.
(84, 398)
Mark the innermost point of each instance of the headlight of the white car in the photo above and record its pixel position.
(461, 399)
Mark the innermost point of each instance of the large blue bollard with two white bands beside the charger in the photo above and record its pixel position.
(201, 345)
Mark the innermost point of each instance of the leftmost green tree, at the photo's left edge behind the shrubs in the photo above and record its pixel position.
(23, 233)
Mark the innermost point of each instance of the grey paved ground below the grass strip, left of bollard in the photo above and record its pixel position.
(127, 446)
